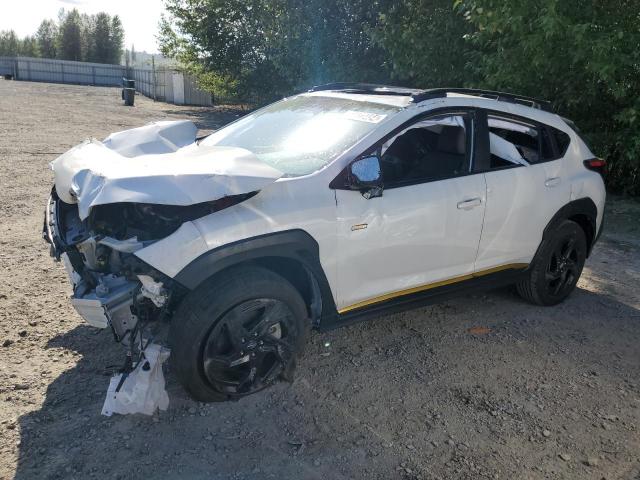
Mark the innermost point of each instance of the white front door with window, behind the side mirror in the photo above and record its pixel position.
(425, 229)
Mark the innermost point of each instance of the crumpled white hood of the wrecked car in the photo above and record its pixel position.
(159, 163)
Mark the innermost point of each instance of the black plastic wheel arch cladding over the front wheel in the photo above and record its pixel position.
(293, 254)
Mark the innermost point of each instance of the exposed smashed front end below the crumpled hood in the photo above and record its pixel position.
(111, 286)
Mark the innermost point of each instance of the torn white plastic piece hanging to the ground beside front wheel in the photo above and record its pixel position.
(143, 391)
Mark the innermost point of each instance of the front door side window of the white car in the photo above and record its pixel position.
(432, 149)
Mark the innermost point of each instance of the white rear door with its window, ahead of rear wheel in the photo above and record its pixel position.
(526, 186)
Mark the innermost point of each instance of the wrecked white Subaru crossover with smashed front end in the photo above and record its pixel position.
(327, 207)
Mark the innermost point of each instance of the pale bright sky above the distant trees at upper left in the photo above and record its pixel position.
(139, 17)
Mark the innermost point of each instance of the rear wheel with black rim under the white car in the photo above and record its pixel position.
(556, 268)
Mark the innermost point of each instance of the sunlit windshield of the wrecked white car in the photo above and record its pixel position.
(302, 134)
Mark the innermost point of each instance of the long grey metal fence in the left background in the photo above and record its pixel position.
(160, 84)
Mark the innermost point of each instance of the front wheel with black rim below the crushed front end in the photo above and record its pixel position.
(237, 333)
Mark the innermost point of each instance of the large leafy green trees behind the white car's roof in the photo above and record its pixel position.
(583, 55)
